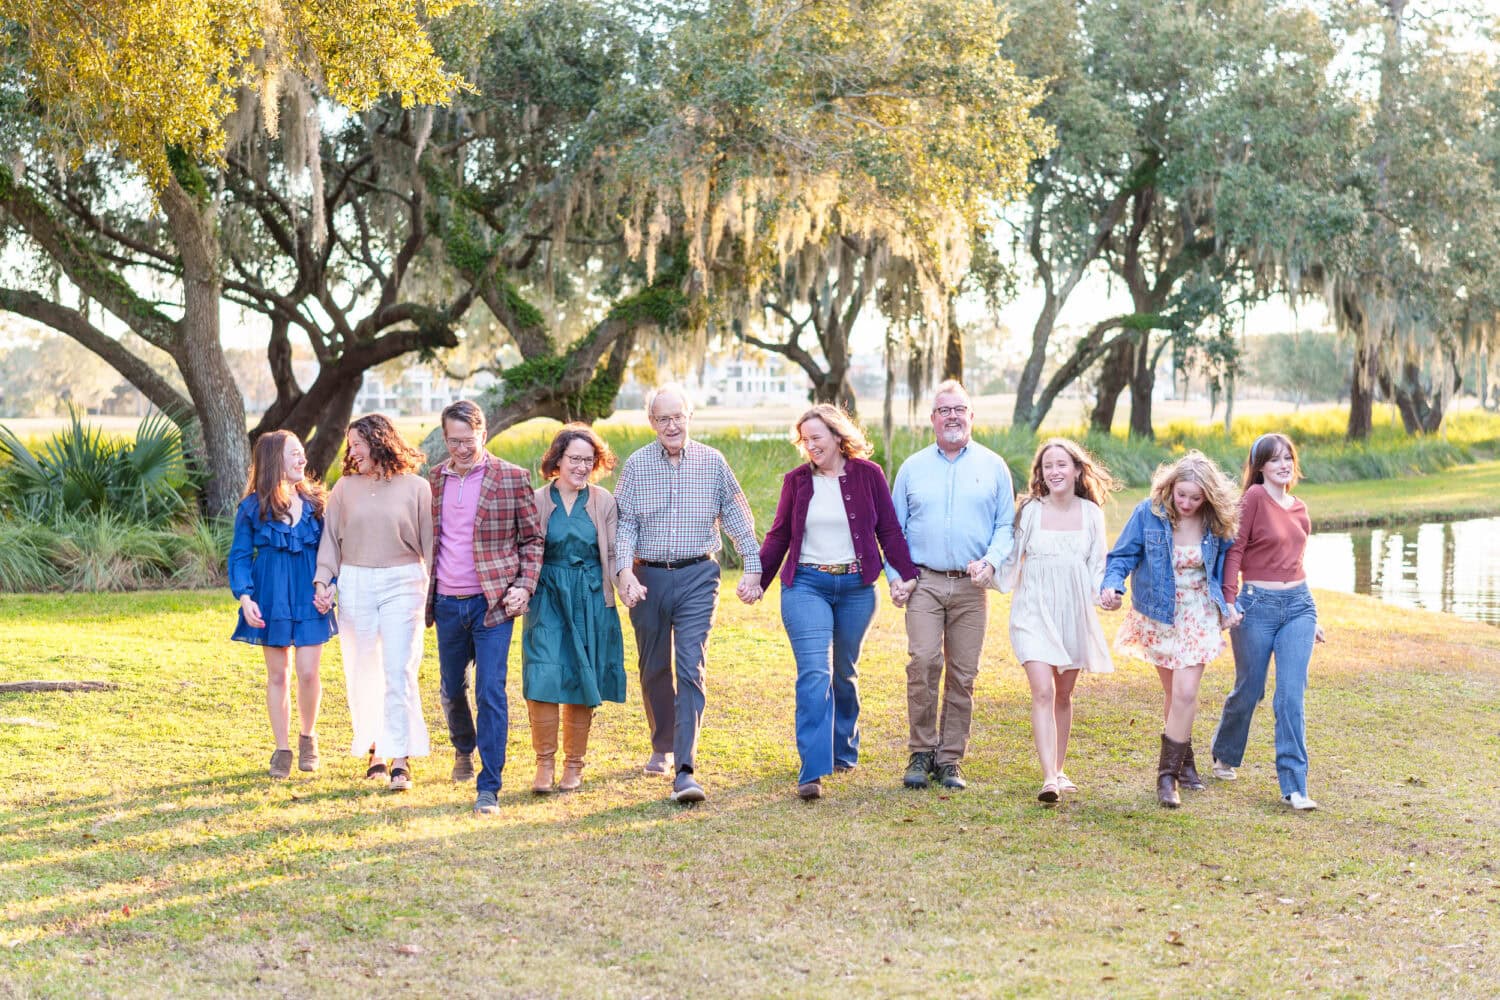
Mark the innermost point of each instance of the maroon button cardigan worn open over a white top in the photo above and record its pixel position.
(872, 519)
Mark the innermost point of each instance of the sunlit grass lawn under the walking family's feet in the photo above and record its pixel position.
(143, 852)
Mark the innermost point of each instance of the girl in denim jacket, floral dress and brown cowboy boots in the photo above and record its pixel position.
(1174, 549)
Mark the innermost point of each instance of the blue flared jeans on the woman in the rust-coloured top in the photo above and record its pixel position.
(1282, 624)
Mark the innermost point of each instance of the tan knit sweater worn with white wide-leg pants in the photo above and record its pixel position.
(374, 522)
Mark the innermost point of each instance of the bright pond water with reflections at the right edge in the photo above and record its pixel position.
(1447, 567)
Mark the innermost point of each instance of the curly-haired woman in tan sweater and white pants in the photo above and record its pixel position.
(377, 546)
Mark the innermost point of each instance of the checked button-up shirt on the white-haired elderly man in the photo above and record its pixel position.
(674, 512)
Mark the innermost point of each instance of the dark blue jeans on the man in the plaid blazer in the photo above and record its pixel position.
(464, 639)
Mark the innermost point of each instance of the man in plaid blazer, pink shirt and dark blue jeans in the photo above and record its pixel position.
(487, 554)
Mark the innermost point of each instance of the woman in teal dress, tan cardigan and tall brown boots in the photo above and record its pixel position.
(572, 653)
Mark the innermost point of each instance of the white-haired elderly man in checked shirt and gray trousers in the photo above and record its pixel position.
(673, 499)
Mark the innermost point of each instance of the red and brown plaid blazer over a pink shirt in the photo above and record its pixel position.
(508, 534)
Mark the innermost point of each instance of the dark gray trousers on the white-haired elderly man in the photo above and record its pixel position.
(673, 626)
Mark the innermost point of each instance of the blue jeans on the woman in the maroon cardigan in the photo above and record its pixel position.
(826, 620)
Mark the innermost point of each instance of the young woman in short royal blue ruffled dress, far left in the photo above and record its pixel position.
(272, 563)
